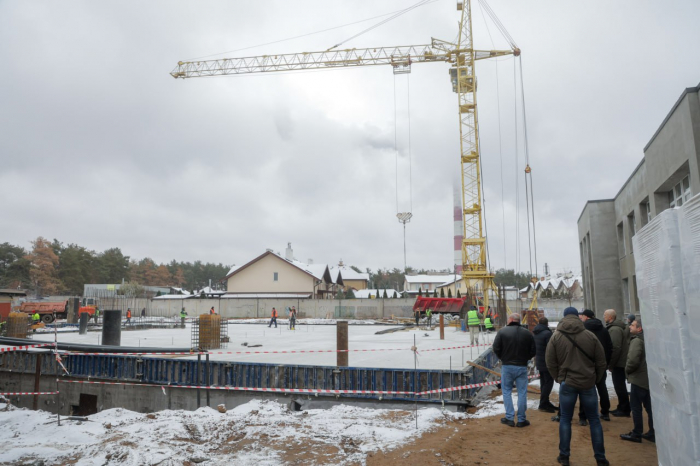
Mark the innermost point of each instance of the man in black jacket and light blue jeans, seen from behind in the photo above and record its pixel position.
(514, 346)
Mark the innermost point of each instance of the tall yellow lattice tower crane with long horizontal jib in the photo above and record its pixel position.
(461, 56)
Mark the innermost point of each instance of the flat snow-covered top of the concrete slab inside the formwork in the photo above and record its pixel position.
(314, 337)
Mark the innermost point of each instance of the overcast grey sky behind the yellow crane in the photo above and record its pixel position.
(100, 146)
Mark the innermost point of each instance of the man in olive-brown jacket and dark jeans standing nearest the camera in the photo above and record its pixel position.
(576, 360)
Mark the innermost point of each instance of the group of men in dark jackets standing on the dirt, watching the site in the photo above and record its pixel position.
(577, 355)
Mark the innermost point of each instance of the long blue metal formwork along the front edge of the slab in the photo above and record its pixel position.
(174, 372)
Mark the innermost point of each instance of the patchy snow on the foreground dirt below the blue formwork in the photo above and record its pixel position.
(258, 432)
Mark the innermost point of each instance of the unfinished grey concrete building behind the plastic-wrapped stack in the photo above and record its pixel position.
(667, 176)
